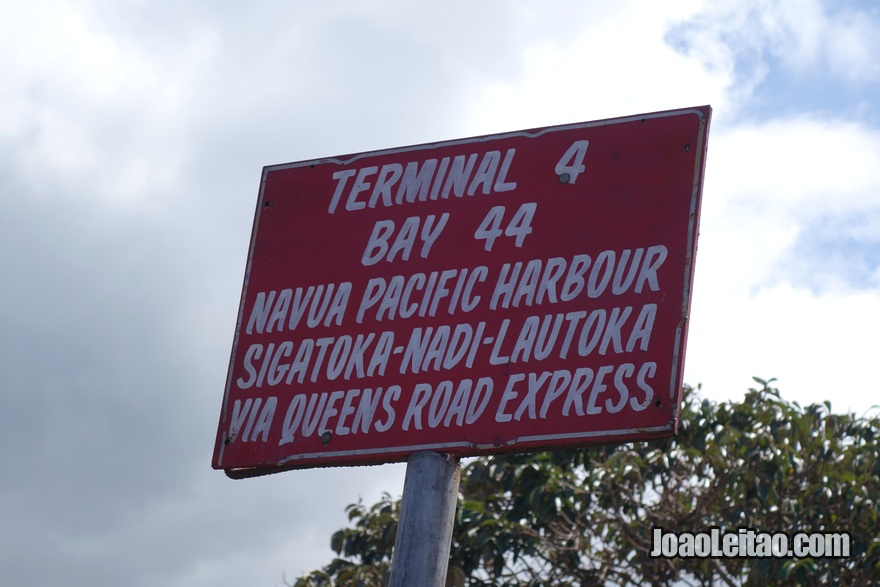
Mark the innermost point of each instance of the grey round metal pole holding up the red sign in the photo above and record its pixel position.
(427, 515)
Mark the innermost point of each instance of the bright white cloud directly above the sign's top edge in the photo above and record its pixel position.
(617, 64)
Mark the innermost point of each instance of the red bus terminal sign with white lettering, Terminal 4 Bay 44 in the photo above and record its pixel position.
(503, 293)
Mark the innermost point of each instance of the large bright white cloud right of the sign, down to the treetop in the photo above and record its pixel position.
(762, 305)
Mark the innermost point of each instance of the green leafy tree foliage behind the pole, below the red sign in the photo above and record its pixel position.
(584, 517)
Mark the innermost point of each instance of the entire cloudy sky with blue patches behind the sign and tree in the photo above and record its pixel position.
(132, 137)
